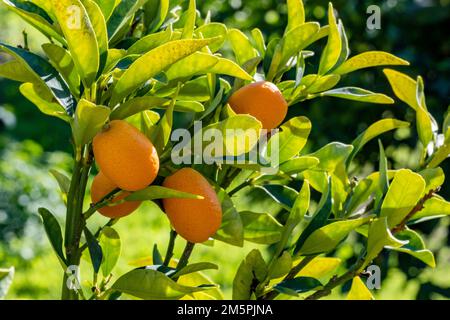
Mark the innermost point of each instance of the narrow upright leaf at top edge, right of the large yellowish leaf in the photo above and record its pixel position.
(99, 26)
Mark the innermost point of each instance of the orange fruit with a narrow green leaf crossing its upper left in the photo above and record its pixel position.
(194, 219)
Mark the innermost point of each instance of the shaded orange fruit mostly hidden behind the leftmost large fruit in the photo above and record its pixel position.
(102, 186)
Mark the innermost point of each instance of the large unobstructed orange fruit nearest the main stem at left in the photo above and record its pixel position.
(126, 156)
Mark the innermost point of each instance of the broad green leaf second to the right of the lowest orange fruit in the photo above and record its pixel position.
(260, 228)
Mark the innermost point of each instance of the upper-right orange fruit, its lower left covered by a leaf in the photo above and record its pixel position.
(263, 100)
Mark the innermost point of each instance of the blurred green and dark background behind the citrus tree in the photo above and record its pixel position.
(32, 143)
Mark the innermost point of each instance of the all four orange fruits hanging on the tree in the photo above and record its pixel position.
(128, 161)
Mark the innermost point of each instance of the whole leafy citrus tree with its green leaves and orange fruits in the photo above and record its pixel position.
(133, 78)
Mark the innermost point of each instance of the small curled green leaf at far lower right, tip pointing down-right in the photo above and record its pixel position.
(415, 247)
